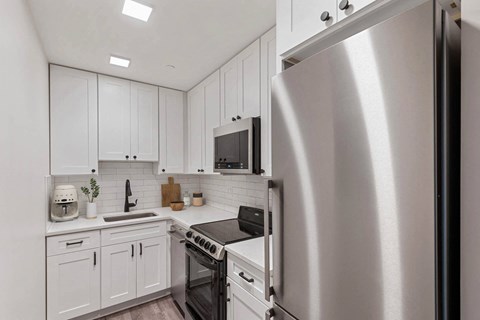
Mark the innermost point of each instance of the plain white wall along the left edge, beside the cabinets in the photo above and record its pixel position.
(23, 164)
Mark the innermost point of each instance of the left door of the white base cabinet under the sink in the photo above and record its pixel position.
(119, 277)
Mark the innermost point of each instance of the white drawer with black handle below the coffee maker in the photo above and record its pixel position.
(72, 242)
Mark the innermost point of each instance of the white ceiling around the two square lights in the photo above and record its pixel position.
(196, 36)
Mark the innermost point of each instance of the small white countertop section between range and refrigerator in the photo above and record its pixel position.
(252, 252)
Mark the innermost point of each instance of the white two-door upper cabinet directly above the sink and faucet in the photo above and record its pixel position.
(128, 120)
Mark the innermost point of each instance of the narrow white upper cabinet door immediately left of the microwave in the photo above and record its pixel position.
(212, 117)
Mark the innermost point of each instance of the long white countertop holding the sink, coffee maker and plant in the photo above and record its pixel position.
(186, 217)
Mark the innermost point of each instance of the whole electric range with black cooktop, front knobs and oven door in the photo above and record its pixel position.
(206, 264)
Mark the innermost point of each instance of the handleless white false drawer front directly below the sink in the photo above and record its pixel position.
(133, 233)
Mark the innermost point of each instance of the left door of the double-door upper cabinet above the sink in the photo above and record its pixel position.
(114, 118)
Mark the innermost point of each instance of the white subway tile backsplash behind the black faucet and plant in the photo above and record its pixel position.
(145, 185)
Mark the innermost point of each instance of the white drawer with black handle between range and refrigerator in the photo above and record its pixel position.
(240, 271)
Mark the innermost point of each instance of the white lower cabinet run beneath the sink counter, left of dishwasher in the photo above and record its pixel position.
(88, 271)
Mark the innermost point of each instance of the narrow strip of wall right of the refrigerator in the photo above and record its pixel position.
(470, 261)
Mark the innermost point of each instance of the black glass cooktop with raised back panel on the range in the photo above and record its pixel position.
(249, 225)
